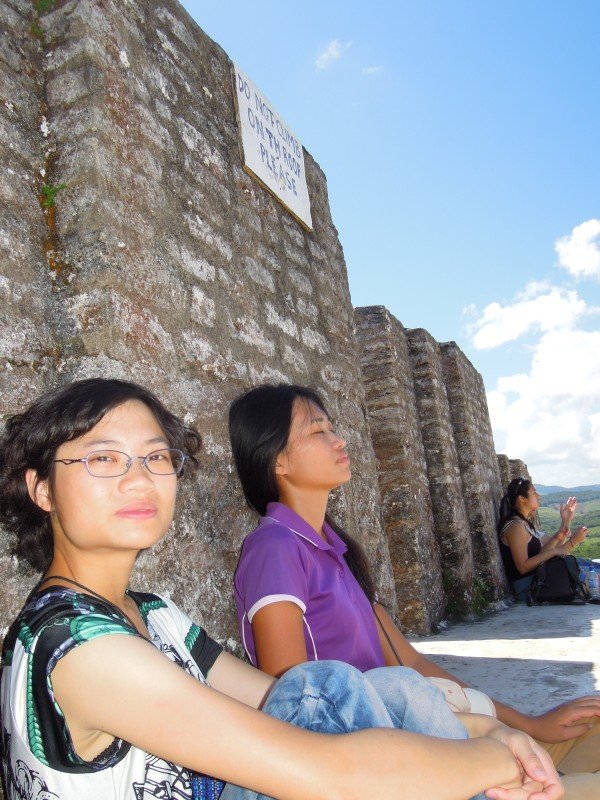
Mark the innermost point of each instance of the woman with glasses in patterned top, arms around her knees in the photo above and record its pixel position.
(113, 694)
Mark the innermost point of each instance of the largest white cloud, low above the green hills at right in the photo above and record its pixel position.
(549, 417)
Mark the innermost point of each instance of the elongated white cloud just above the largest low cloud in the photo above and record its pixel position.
(539, 306)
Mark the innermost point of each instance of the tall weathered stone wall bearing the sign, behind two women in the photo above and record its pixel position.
(163, 262)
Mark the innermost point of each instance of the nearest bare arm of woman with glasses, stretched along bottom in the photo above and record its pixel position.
(191, 724)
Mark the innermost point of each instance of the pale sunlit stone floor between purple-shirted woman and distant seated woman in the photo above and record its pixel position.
(559, 645)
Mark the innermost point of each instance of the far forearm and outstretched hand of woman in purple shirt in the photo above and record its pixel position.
(556, 725)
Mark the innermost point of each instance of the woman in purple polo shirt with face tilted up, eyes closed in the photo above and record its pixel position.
(303, 588)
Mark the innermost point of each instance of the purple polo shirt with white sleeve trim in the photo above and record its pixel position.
(284, 559)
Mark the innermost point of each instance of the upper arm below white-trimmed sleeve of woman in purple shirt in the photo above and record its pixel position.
(279, 637)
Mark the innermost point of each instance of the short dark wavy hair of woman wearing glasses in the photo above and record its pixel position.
(31, 439)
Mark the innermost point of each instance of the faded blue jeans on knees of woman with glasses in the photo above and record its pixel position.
(332, 697)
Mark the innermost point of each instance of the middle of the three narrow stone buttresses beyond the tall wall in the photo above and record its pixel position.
(451, 523)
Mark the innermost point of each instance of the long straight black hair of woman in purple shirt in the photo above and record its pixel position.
(259, 429)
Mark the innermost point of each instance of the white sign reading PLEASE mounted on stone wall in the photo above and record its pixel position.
(270, 151)
